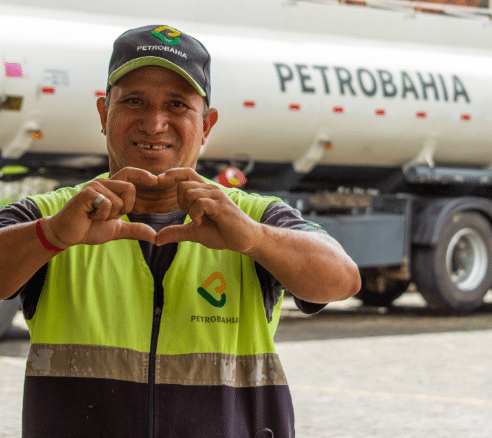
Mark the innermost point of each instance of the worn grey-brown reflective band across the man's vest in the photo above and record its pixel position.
(201, 369)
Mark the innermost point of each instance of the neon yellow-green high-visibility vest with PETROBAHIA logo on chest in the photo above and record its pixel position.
(94, 318)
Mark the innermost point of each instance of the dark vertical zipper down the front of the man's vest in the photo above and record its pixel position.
(158, 304)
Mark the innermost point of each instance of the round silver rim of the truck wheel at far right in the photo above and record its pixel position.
(467, 259)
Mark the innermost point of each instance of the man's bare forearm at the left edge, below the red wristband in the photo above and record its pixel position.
(21, 255)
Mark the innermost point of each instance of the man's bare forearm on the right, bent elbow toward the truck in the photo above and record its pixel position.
(312, 266)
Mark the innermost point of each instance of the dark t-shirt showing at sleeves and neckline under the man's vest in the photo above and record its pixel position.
(159, 258)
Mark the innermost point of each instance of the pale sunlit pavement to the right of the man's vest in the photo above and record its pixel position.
(410, 386)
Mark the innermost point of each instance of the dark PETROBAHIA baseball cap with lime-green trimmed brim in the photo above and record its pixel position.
(163, 46)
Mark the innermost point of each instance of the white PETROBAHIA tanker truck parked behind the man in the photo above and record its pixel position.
(373, 119)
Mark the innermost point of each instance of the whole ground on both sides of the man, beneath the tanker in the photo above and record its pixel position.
(355, 372)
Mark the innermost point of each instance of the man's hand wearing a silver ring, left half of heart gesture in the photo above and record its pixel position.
(78, 222)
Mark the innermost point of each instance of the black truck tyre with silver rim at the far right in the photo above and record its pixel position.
(456, 273)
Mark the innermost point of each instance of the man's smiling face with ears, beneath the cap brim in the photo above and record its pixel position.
(154, 121)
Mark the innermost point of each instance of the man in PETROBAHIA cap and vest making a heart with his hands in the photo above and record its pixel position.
(132, 333)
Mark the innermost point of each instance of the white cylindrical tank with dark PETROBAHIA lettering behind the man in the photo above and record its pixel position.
(302, 96)
